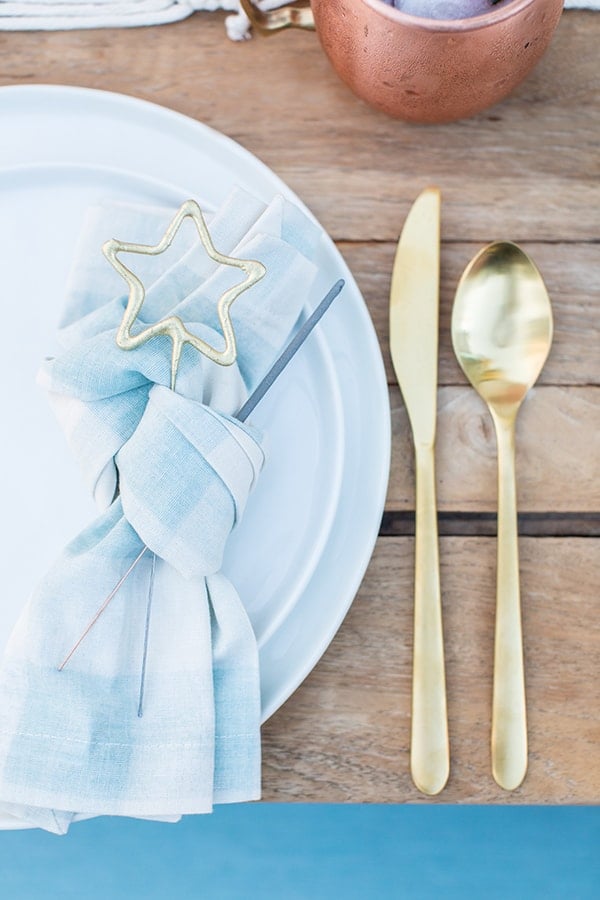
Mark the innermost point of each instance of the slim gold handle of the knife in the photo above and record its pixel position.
(429, 752)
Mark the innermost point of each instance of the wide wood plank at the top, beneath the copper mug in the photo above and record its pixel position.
(528, 167)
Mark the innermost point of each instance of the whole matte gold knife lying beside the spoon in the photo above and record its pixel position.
(414, 306)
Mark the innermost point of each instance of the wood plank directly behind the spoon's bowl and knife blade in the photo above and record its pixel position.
(571, 273)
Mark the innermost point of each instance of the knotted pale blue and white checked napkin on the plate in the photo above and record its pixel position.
(171, 470)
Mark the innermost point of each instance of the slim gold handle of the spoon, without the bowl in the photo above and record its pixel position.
(509, 718)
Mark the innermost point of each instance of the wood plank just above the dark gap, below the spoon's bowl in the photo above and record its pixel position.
(558, 464)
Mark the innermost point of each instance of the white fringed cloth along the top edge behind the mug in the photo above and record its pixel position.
(49, 15)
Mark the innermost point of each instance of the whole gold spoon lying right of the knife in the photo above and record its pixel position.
(501, 332)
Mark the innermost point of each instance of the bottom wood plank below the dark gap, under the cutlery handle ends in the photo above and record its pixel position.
(344, 735)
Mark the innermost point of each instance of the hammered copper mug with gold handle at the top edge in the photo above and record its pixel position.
(423, 70)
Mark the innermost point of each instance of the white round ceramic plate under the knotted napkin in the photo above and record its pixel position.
(307, 535)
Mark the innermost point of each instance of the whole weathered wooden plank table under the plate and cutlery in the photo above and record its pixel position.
(525, 170)
